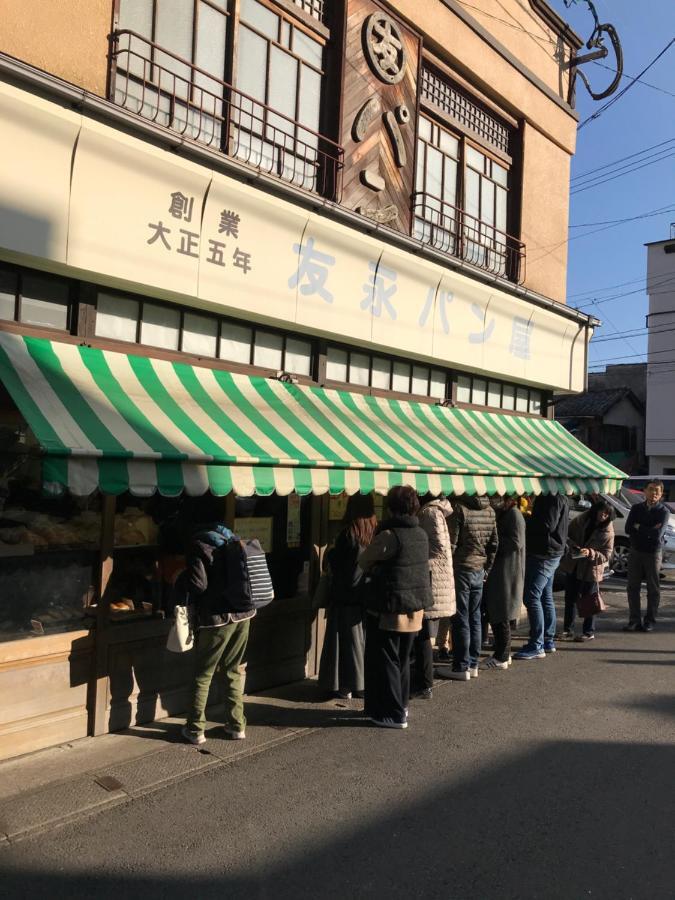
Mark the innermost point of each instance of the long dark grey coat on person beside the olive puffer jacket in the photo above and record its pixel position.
(503, 591)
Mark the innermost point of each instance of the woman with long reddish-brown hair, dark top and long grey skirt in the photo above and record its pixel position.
(341, 666)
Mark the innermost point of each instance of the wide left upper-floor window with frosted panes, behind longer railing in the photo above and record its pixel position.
(250, 88)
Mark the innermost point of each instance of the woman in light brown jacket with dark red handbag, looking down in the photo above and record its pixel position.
(590, 544)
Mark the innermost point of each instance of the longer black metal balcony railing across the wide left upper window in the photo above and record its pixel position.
(160, 86)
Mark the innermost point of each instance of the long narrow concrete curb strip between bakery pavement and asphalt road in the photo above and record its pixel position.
(124, 797)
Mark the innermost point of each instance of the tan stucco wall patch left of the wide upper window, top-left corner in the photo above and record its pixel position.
(64, 37)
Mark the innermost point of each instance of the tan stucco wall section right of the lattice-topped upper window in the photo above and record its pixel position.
(544, 213)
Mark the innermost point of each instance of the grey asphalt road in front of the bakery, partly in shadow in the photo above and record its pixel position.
(555, 779)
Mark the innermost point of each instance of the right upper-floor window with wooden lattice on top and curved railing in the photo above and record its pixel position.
(462, 181)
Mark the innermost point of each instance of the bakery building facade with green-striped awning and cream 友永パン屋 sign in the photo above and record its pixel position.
(256, 255)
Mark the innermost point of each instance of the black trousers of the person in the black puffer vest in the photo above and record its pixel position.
(387, 671)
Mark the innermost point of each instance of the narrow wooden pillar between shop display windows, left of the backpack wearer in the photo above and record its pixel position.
(99, 683)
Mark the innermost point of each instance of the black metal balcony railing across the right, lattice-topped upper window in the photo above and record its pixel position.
(455, 232)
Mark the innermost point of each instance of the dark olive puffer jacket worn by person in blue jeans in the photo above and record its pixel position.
(473, 534)
